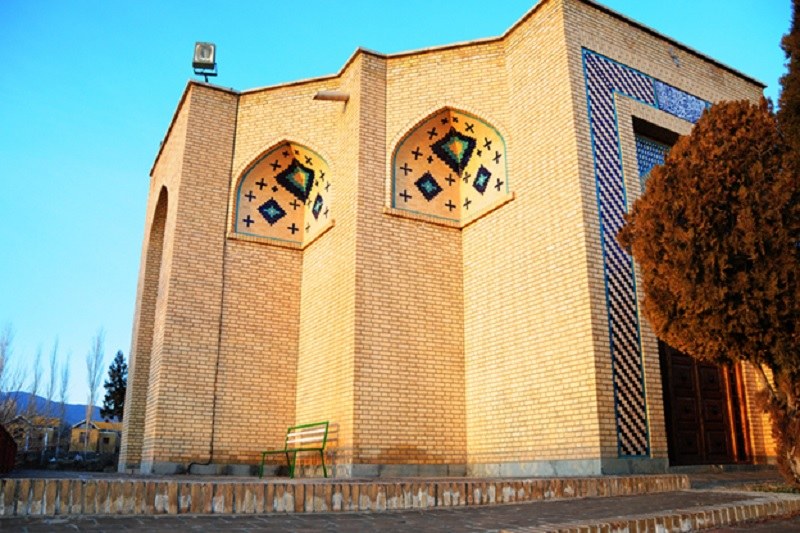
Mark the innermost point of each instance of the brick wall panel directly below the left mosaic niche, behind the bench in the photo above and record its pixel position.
(258, 357)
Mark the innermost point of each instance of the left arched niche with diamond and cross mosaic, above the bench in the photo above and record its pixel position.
(273, 198)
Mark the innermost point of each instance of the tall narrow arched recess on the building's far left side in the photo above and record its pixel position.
(137, 392)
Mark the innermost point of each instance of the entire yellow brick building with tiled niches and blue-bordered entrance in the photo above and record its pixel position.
(429, 265)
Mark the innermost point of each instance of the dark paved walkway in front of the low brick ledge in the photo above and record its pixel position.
(472, 519)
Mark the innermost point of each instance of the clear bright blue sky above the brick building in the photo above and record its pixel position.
(87, 90)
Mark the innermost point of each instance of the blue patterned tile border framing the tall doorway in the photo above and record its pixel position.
(605, 81)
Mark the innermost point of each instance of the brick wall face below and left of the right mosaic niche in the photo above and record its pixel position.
(409, 364)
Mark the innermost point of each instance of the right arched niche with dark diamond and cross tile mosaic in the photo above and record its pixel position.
(451, 166)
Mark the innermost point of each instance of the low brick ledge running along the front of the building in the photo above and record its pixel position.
(50, 497)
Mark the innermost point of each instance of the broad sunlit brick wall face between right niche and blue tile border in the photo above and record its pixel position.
(530, 382)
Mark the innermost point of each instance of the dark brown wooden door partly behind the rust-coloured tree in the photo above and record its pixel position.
(702, 411)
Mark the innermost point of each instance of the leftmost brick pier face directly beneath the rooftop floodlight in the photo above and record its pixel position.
(185, 339)
